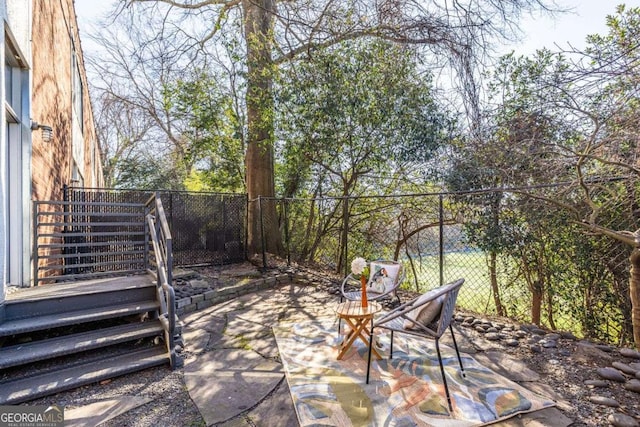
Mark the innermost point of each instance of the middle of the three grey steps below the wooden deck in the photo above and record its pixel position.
(21, 354)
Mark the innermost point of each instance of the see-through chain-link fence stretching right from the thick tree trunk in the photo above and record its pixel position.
(520, 258)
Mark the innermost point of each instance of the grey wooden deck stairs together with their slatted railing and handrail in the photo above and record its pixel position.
(102, 304)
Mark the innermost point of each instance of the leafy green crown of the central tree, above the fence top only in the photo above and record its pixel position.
(355, 109)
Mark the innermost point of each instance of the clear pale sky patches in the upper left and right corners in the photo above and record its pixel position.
(588, 17)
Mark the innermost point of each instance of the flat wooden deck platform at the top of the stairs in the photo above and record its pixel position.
(85, 286)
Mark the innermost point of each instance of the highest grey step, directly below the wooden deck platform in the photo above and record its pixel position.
(50, 321)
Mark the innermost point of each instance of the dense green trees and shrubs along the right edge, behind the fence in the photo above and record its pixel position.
(568, 117)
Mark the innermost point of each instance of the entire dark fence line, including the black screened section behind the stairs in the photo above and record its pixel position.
(520, 258)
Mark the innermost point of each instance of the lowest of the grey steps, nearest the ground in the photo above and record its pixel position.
(73, 376)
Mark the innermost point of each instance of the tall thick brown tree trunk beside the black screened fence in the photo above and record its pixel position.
(259, 159)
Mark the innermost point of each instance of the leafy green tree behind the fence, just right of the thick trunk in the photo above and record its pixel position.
(357, 118)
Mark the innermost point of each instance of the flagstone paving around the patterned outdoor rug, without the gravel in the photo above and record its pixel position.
(236, 377)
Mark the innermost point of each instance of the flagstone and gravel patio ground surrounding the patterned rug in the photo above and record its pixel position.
(234, 375)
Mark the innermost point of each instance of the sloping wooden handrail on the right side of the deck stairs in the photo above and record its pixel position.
(161, 241)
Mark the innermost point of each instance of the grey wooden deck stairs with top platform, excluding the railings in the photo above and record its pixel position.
(59, 337)
